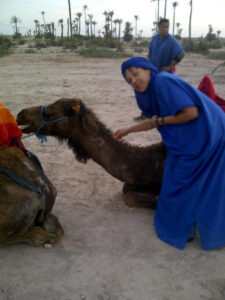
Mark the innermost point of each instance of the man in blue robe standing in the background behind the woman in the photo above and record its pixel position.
(165, 52)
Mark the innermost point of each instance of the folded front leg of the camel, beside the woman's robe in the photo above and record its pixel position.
(135, 197)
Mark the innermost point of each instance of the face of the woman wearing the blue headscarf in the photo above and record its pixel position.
(138, 78)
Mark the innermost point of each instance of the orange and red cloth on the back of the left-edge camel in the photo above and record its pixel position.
(9, 129)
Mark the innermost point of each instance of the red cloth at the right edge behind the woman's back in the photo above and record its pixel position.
(206, 86)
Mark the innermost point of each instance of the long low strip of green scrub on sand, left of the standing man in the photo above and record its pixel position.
(102, 53)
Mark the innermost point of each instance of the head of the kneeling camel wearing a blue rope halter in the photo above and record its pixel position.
(72, 109)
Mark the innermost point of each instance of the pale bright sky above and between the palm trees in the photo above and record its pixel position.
(205, 12)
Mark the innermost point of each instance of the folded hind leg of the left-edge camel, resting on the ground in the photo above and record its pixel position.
(36, 236)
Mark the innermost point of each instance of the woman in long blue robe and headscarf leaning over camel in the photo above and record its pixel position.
(192, 127)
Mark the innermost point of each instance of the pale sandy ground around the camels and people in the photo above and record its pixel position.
(109, 251)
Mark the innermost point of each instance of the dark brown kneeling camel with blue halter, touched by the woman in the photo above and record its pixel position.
(139, 168)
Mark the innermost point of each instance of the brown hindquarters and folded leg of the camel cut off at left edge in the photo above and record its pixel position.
(25, 215)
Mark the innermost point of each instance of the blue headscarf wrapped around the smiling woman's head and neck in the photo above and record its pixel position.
(143, 99)
